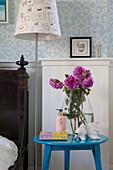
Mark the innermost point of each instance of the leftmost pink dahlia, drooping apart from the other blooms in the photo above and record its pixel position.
(55, 83)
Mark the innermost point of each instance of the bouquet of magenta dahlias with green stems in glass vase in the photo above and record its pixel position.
(76, 87)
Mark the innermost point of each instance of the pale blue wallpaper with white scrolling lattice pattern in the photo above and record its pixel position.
(77, 18)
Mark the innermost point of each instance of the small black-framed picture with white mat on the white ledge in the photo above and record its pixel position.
(80, 47)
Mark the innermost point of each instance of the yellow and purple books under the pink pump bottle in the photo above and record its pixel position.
(62, 135)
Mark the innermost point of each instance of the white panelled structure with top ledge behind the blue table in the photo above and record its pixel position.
(101, 99)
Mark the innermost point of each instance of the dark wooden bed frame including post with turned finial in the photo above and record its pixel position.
(14, 110)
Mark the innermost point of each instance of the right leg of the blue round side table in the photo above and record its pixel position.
(97, 157)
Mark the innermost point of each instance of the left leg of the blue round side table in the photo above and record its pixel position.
(47, 155)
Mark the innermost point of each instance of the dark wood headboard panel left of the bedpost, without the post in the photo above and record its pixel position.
(9, 112)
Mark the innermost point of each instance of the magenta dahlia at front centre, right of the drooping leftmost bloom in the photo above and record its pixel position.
(71, 82)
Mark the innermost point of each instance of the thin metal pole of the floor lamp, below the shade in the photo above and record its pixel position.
(36, 100)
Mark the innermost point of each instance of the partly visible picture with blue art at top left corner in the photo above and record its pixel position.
(3, 11)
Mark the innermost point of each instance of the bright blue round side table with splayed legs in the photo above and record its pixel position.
(71, 144)
